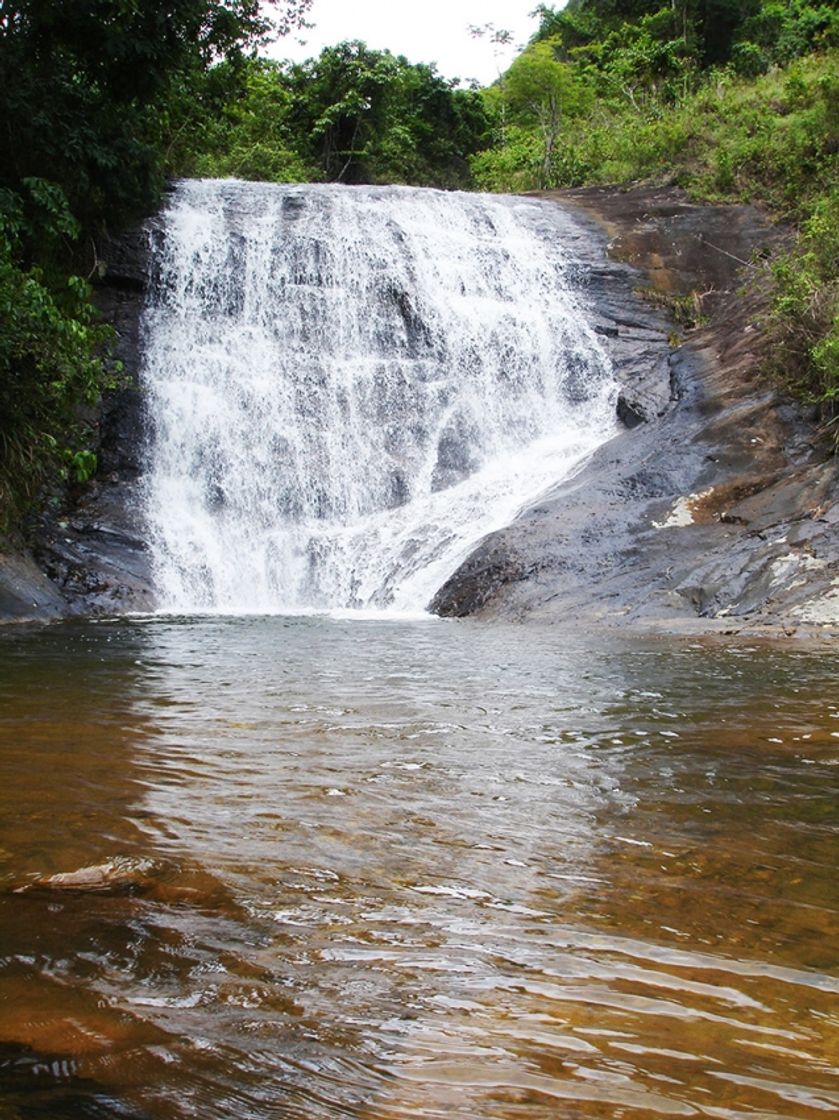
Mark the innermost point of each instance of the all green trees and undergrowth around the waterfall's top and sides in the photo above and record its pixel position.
(104, 99)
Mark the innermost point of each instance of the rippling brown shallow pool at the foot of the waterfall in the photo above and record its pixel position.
(428, 870)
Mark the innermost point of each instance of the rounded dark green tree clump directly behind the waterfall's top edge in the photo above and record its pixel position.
(350, 116)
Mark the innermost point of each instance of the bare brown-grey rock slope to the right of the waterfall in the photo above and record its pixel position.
(719, 511)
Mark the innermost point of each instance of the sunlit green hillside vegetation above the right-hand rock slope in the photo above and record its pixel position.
(737, 102)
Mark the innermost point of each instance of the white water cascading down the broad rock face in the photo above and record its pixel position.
(348, 388)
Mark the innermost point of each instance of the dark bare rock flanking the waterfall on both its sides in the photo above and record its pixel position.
(716, 508)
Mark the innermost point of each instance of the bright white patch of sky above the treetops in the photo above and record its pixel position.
(430, 32)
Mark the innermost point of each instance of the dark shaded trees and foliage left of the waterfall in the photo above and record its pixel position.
(87, 90)
